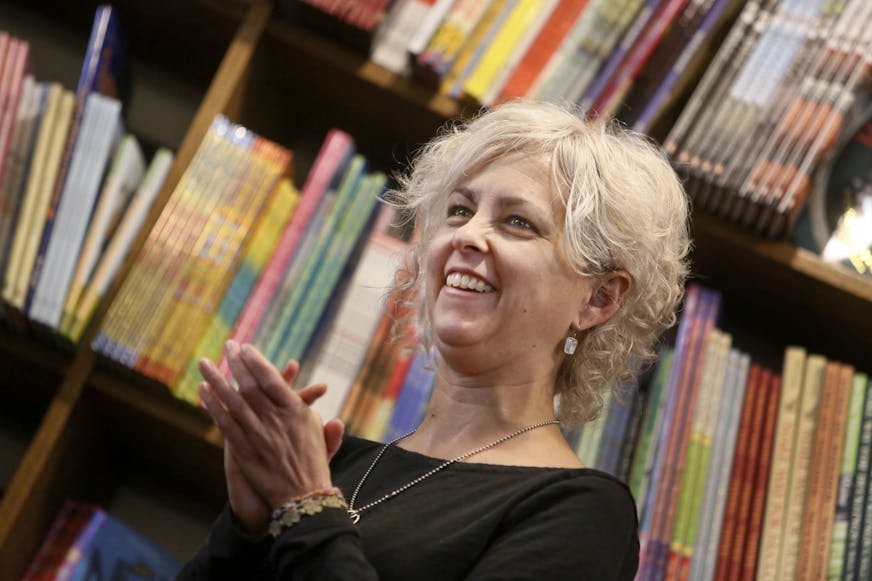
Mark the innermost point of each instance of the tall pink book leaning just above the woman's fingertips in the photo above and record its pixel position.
(333, 151)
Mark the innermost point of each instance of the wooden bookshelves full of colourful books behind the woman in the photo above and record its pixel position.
(174, 174)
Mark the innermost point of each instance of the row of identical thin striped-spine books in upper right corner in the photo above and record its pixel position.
(770, 108)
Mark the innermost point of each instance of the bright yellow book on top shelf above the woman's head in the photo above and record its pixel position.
(508, 40)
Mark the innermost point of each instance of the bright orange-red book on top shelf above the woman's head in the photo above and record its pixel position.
(543, 48)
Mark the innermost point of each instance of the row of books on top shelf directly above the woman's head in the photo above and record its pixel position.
(629, 56)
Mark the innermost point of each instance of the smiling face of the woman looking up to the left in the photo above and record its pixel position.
(499, 291)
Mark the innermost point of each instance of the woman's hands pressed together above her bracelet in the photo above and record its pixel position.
(276, 447)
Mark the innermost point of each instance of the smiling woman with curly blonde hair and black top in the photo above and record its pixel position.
(552, 255)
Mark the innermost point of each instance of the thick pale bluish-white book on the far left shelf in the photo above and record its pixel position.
(101, 126)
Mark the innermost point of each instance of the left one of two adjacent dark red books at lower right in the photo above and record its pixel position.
(738, 474)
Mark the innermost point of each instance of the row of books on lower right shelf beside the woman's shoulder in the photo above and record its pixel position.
(739, 471)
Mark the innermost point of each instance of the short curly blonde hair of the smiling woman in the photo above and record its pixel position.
(625, 210)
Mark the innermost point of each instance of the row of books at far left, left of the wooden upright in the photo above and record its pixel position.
(74, 186)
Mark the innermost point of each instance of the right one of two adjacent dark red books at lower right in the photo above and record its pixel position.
(761, 482)
